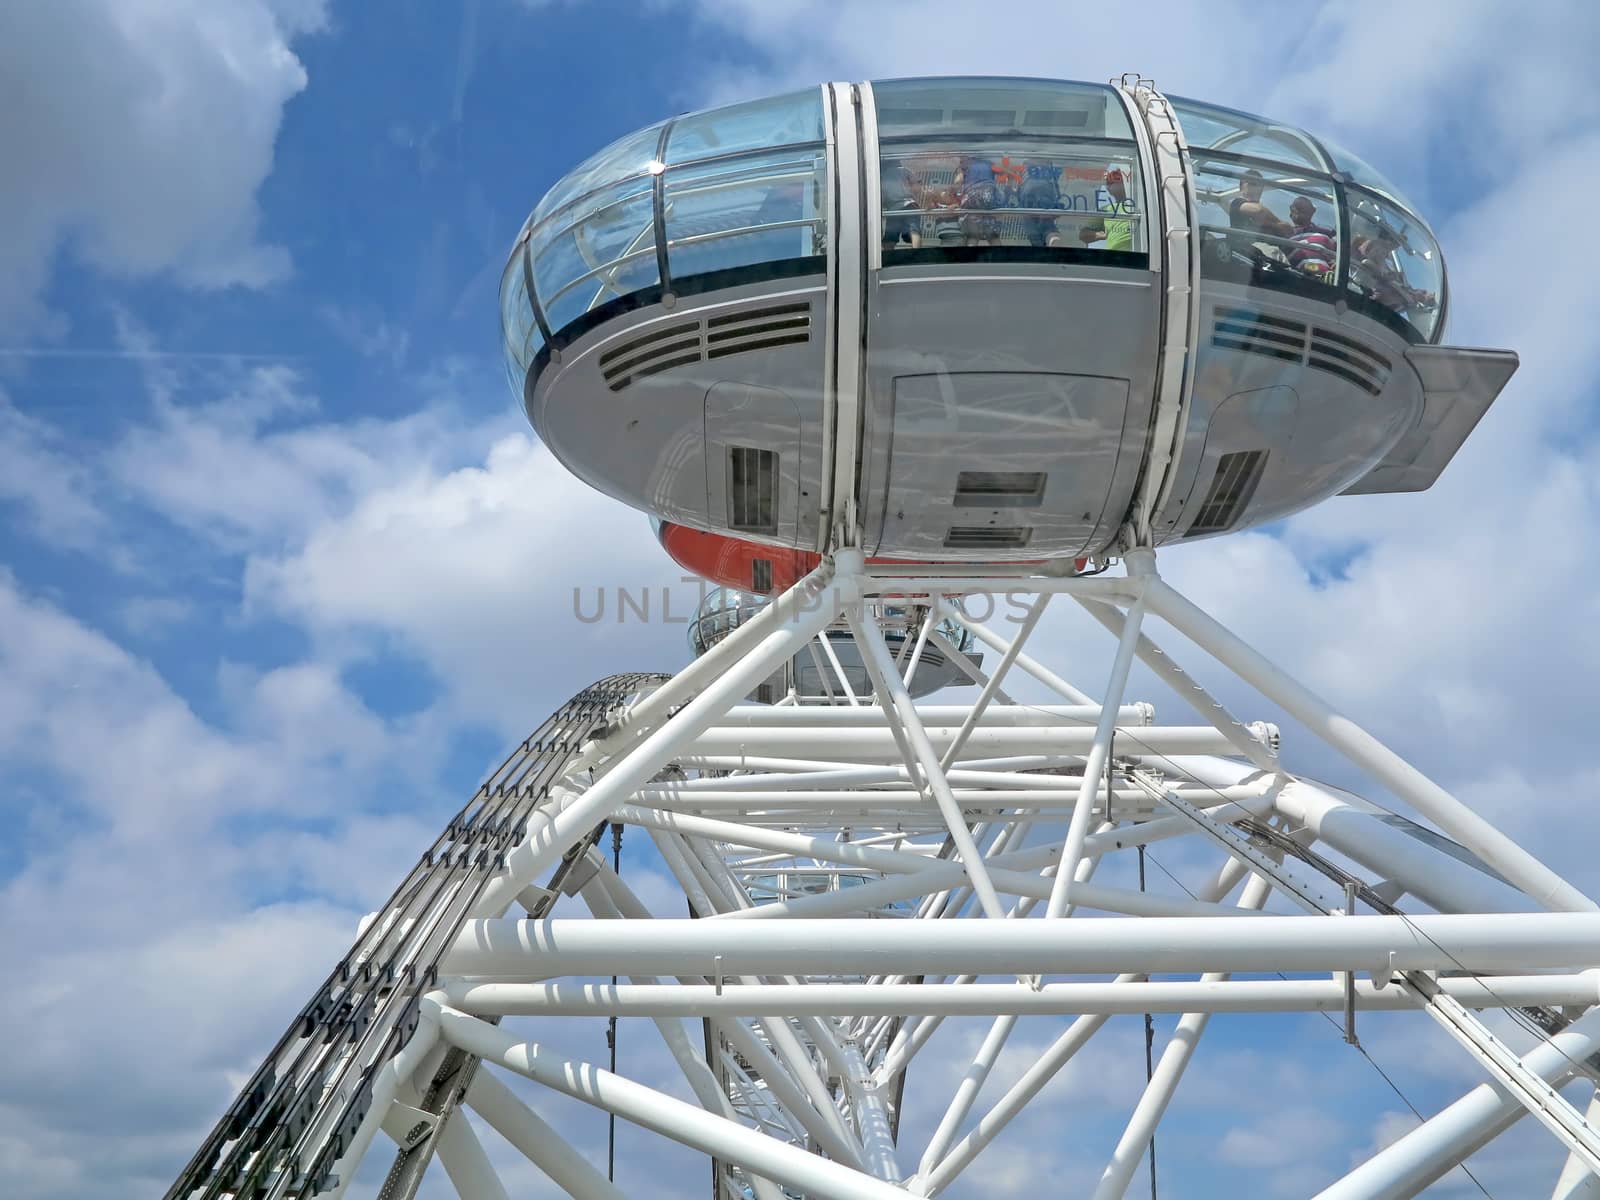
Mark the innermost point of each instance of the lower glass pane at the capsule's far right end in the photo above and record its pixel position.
(1396, 262)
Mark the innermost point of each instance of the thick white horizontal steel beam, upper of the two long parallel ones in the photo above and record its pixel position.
(1162, 945)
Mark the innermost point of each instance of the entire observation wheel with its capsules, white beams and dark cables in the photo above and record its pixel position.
(750, 332)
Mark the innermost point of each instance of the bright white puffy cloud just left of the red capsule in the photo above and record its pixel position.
(474, 570)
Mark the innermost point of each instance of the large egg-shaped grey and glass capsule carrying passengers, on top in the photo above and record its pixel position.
(985, 321)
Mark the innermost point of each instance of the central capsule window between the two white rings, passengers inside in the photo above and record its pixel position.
(1026, 164)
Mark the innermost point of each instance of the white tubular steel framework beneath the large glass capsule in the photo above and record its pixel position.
(951, 825)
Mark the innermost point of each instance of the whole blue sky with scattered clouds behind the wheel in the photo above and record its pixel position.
(282, 570)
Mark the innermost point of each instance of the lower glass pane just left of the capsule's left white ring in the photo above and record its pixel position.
(746, 210)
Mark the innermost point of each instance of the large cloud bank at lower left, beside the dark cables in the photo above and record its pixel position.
(170, 906)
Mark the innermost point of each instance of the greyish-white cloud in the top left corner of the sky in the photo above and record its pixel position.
(142, 135)
